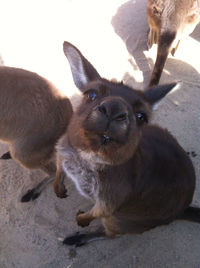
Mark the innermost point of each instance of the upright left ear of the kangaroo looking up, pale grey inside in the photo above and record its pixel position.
(82, 70)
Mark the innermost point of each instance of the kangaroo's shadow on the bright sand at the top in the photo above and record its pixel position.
(130, 23)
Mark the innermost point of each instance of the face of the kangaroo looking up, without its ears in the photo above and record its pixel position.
(109, 121)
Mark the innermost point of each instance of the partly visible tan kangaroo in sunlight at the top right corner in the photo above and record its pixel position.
(169, 22)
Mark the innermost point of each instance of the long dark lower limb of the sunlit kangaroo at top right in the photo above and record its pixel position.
(164, 44)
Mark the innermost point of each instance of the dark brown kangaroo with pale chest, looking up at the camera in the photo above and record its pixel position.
(137, 175)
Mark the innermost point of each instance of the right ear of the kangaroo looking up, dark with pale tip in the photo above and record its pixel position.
(155, 94)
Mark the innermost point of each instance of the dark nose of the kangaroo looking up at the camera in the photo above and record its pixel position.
(113, 111)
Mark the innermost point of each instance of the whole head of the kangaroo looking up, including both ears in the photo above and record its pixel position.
(109, 121)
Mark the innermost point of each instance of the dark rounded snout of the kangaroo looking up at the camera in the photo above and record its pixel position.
(108, 123)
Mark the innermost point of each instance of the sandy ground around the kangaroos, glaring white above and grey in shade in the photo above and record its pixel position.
(113, 37)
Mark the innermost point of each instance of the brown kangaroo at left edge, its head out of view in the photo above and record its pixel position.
(33, 116)
